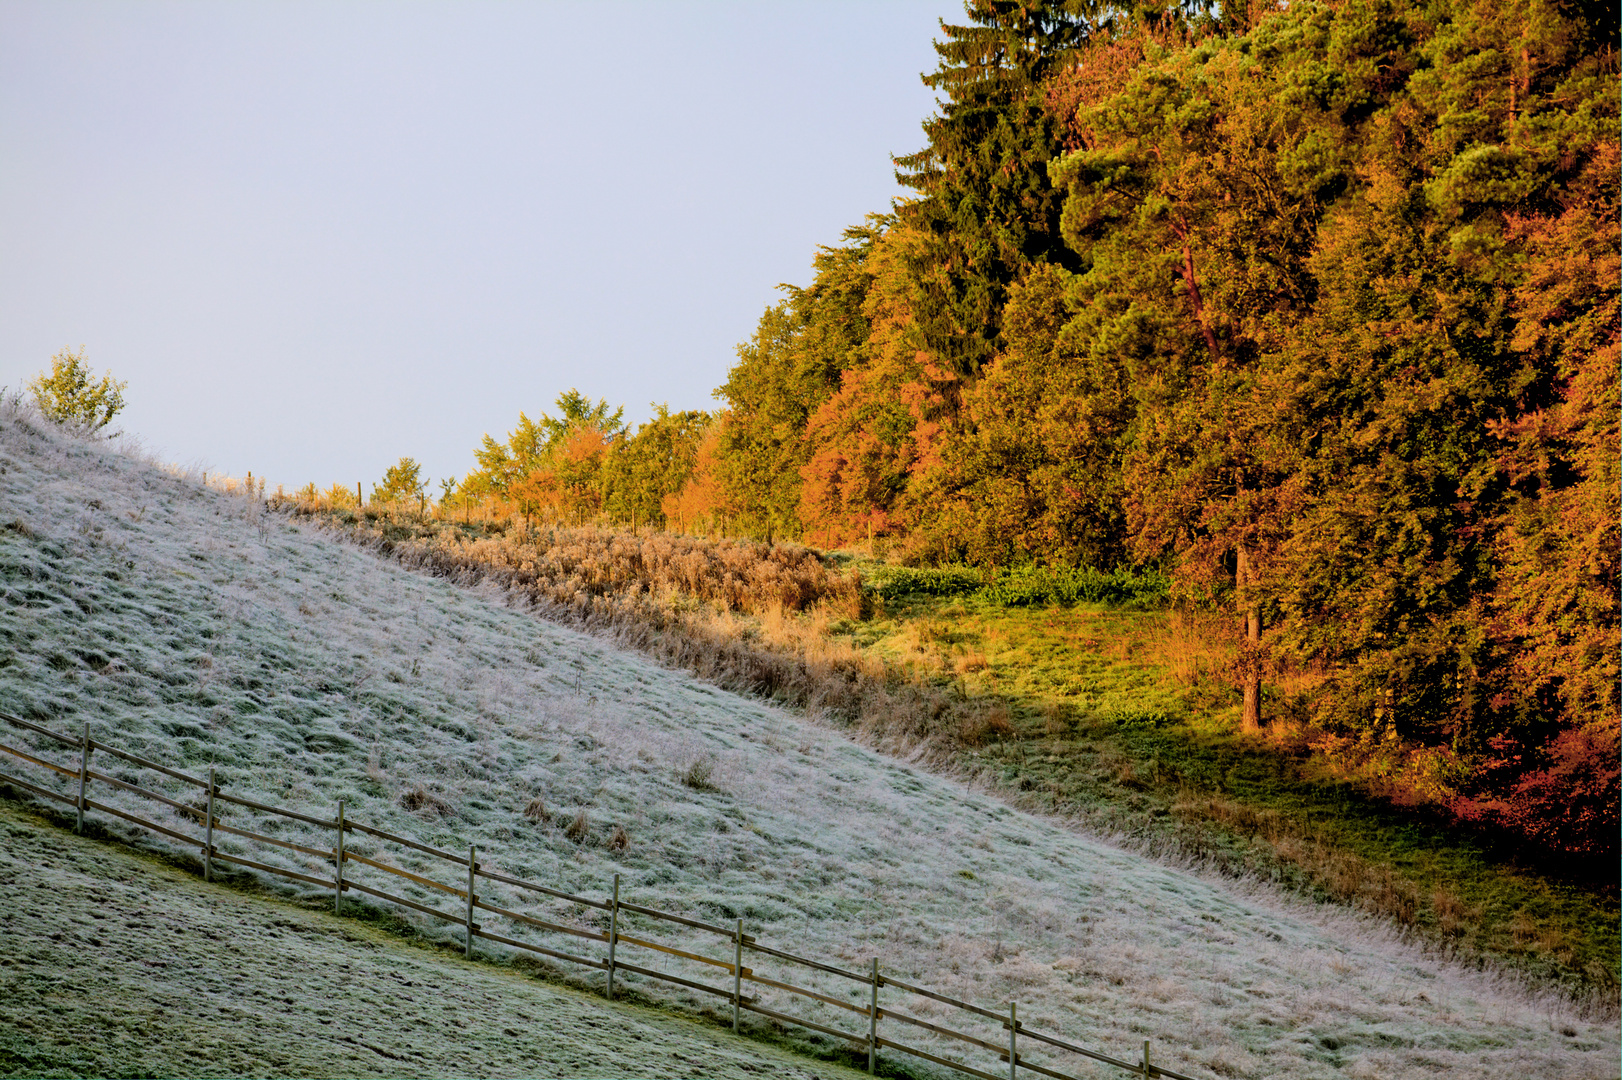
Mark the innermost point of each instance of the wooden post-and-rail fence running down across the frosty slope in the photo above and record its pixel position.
(872, 982)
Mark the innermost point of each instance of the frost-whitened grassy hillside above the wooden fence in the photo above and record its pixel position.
(195, 630)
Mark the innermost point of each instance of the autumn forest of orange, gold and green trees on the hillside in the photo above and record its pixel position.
(1311, 309)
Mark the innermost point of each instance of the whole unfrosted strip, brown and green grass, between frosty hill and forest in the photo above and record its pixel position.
(1120, 721)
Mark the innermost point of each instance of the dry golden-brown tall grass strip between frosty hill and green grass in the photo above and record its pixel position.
(672, 598)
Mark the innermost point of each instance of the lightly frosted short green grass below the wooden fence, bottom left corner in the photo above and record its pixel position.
(122, 966)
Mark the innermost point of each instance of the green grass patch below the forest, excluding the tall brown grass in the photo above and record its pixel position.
(1143, 752)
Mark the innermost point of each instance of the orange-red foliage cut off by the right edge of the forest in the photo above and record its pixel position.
(1558, 593)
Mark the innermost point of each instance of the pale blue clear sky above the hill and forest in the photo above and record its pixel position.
(315, 238)
